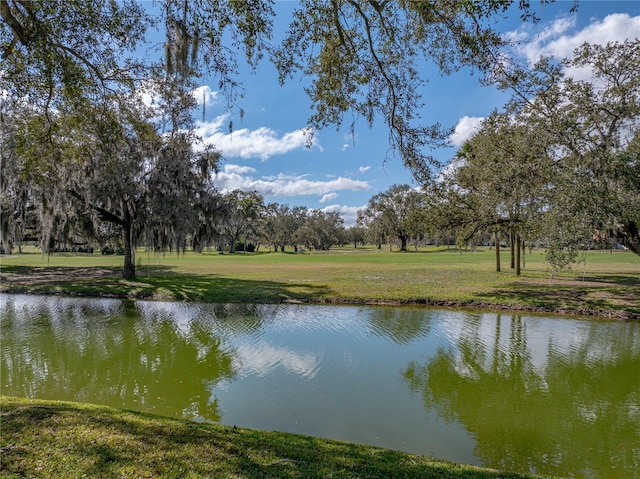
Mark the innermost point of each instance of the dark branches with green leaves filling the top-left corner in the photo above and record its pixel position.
(70, 51)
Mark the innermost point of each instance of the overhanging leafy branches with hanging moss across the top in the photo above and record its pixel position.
(361, 56)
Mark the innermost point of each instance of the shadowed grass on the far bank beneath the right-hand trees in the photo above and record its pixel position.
(608, 295)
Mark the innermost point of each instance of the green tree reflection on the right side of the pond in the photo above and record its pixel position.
(560, 398)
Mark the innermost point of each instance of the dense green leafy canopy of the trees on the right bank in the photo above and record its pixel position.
(560, 165)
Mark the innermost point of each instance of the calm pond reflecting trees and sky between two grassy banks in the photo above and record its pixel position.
(525, 393)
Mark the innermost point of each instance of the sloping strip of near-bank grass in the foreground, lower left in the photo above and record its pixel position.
(51, 439)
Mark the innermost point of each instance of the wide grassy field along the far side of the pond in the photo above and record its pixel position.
(607, 285)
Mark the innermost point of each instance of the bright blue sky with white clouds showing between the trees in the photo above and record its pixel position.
(267, 149)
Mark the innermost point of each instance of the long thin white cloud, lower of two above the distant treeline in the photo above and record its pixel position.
(241, 177)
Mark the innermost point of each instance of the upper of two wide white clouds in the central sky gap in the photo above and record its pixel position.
(260, 143)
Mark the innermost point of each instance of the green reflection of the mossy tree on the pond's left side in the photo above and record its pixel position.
(121, 353)
